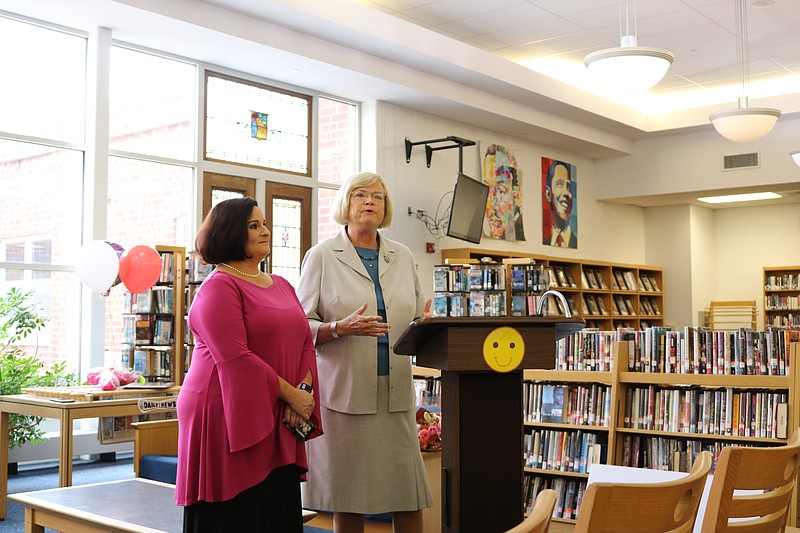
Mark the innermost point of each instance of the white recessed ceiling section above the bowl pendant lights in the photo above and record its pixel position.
(554, 36)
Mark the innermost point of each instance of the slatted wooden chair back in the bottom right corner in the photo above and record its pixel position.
(771, 471)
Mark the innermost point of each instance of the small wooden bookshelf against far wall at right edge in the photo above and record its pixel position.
(782, 296)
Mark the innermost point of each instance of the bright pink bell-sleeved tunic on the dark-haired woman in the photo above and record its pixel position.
(229, 413)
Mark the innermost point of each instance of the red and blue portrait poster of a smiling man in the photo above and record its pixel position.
(559, 203)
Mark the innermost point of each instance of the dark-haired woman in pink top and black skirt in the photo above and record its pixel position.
(252, 380)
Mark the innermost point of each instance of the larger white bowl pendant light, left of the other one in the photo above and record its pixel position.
(629, 68)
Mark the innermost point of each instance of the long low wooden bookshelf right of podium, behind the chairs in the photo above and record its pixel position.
(642, 425)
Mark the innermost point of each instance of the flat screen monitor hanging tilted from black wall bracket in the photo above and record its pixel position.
(467, 209)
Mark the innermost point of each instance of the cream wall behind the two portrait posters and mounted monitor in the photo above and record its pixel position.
(606, 232)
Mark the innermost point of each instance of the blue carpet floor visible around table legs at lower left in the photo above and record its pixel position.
(45, 476)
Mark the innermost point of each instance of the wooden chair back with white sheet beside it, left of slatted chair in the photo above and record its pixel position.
(662, 507)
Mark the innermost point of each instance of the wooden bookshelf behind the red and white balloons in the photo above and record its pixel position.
(154, 322)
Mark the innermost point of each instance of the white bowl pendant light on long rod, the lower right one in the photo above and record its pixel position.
(744, 124)
